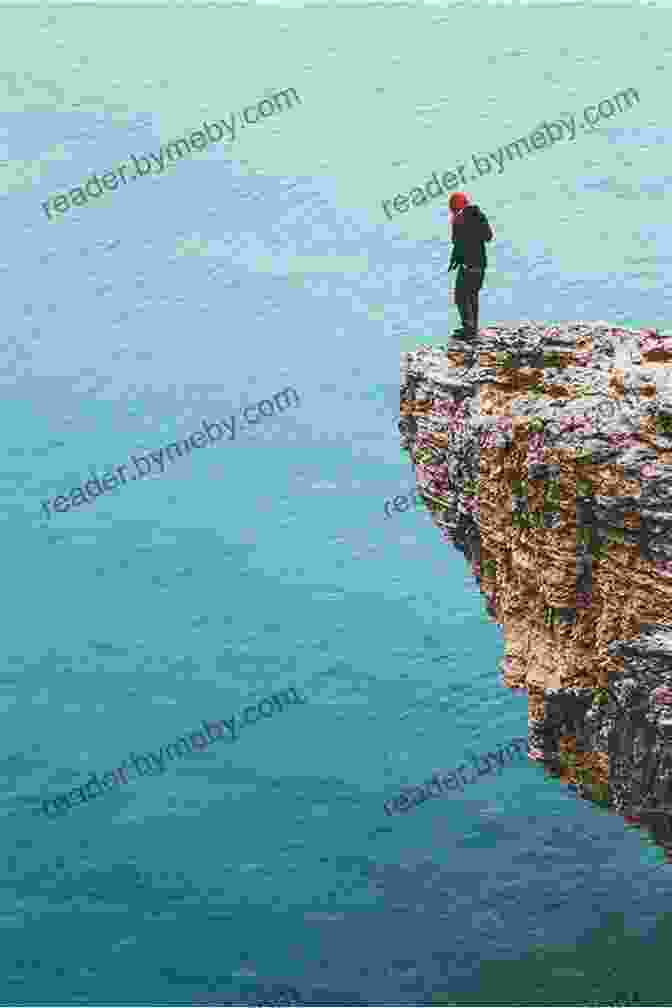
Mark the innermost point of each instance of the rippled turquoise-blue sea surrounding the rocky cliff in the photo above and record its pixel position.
(267, 561)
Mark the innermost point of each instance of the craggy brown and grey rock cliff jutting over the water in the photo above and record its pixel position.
(546, 456)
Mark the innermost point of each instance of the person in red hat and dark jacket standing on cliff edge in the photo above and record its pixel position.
(471, 231)
